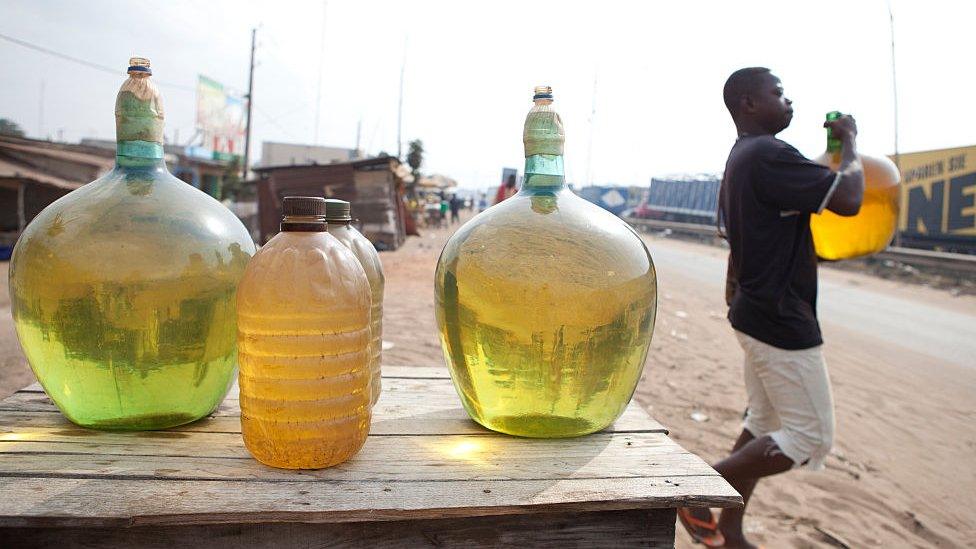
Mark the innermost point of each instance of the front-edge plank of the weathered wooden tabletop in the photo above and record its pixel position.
(58, 502)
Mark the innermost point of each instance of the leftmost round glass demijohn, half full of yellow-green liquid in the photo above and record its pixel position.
(123, 291)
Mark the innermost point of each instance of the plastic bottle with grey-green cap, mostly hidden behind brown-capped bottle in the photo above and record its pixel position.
(339, 217)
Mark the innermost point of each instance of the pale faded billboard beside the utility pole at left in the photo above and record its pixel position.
(220, 118)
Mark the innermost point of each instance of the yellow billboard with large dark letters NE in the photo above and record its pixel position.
(939, 196)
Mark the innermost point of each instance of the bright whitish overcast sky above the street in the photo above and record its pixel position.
(470, 68)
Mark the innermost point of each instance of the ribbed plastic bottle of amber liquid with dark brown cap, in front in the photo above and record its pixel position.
(303, 309)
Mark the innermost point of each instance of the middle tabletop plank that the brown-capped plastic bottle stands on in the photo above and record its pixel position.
(220, 456)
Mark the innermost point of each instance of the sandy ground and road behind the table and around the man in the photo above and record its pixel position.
(903, 471)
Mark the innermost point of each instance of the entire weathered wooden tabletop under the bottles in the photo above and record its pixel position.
(424, 460)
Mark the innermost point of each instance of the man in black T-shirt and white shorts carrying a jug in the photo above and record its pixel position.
(767, 195)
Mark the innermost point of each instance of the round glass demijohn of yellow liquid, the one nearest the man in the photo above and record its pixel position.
(545, 302)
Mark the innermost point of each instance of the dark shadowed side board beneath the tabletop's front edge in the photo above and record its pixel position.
(637, 528)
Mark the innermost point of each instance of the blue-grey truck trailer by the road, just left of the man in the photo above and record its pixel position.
(688, 200)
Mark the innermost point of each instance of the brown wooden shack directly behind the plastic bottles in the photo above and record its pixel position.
(373, 186)
